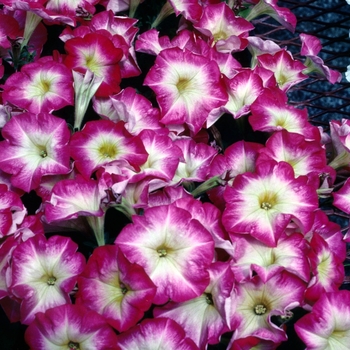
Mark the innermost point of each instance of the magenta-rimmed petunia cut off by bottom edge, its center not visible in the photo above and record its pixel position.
(159, 333)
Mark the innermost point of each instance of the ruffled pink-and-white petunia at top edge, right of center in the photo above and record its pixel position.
(226, 31)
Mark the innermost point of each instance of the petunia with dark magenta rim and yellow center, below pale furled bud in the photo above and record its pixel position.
(102, 142)
